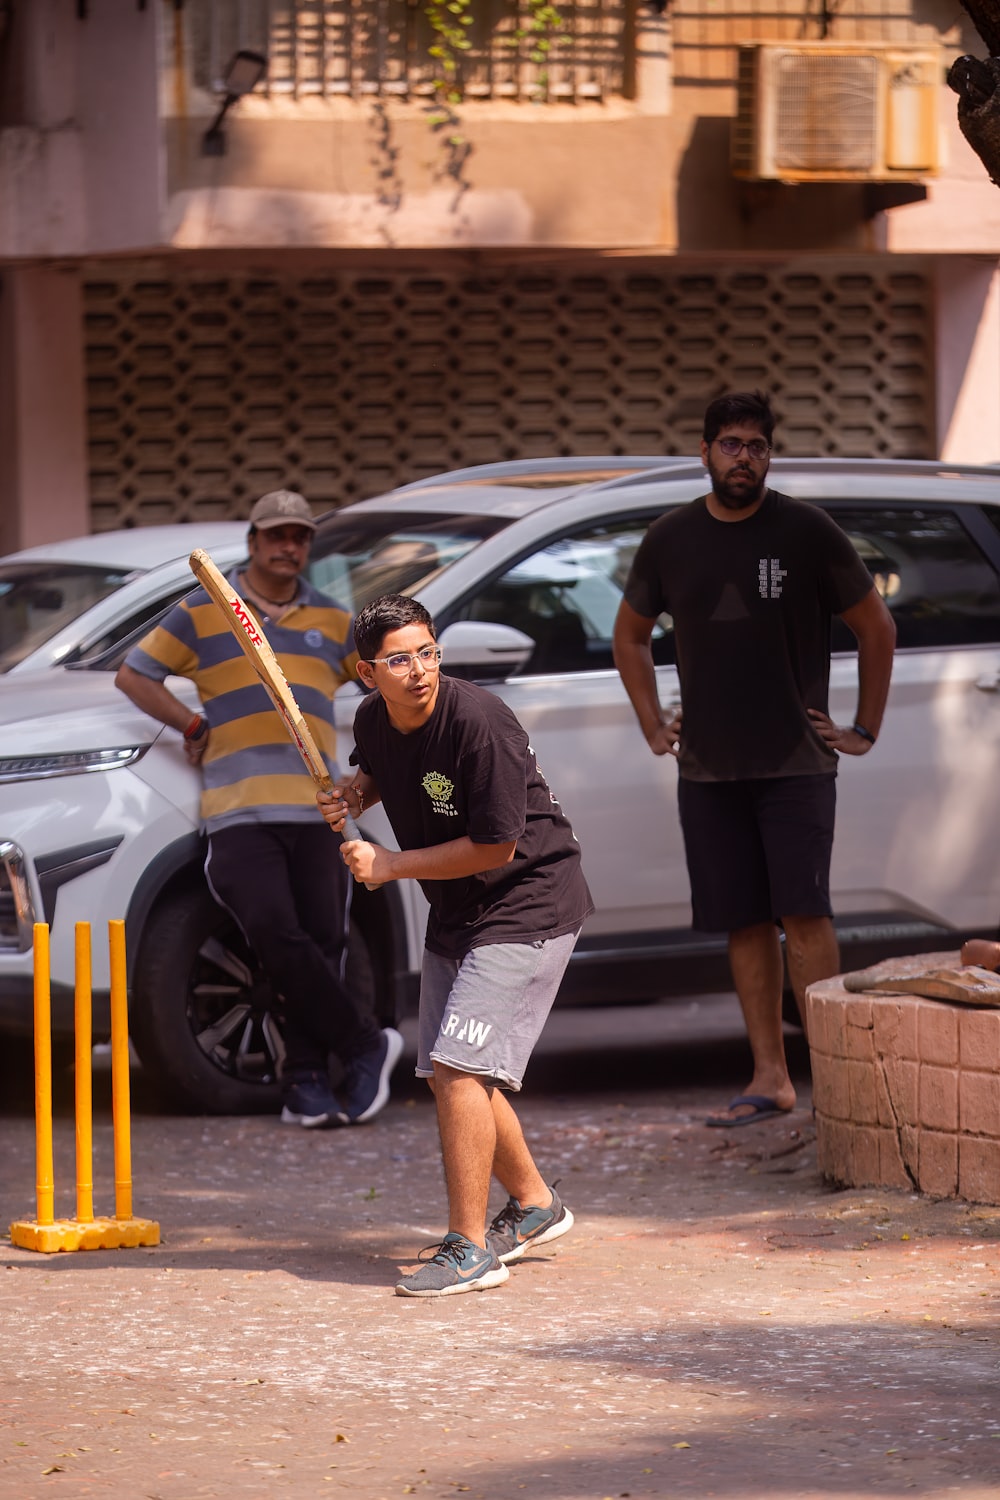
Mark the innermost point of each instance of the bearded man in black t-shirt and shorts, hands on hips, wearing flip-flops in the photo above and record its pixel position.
(753, 581)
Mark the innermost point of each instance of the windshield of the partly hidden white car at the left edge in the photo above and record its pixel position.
(40, 599)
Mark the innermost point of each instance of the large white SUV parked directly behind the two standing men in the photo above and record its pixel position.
(522, 568)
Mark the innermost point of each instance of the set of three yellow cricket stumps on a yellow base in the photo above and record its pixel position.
(83, 1232)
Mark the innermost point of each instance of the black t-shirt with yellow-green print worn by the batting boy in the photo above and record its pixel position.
(470, 772)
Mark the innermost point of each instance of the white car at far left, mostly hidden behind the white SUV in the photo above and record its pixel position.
(68, 601)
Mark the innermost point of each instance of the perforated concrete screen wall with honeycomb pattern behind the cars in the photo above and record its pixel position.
(208, 389)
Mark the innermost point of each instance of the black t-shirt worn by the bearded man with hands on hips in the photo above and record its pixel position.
(752, 604)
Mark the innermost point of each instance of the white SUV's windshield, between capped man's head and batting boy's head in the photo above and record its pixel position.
(358, 557)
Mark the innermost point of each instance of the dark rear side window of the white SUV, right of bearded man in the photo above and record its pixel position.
(939, 586)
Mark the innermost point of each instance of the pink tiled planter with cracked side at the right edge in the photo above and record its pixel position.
(906, 1090)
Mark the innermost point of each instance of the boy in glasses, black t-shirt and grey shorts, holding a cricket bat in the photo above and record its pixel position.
(496, 857)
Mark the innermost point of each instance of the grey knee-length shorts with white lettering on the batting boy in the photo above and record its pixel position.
(485, 1013)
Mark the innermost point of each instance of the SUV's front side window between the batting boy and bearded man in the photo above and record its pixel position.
(566, 598)
